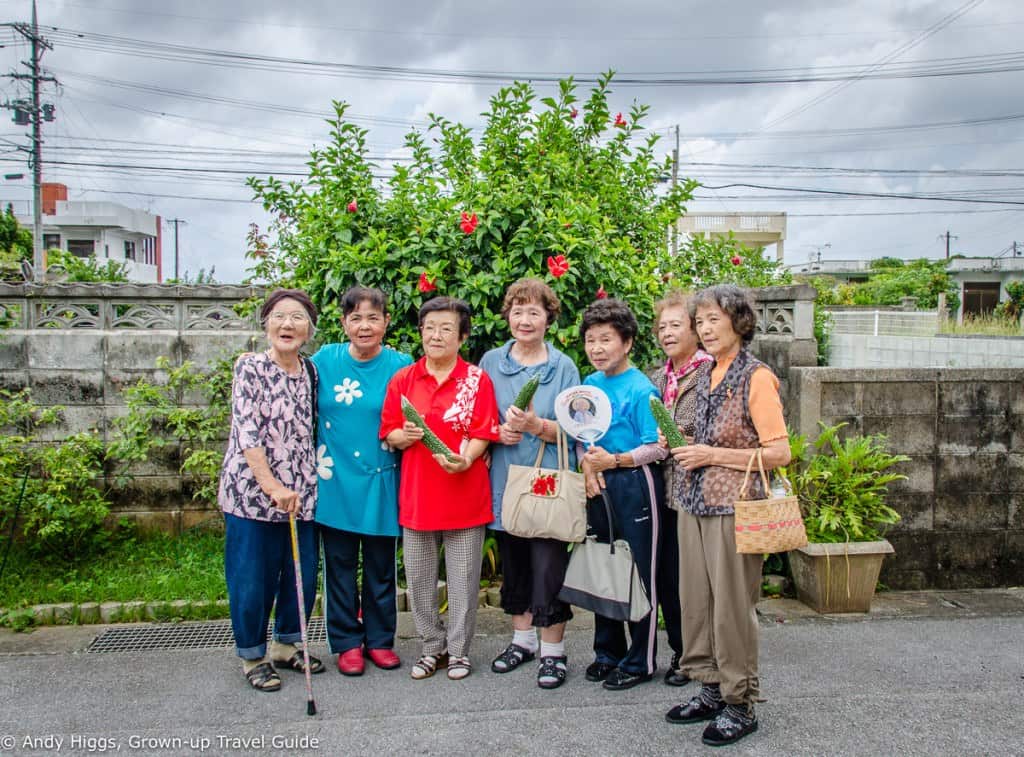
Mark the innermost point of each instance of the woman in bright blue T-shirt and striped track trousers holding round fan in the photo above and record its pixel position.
(622, 465)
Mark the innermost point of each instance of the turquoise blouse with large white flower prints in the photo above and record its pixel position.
(358, 475)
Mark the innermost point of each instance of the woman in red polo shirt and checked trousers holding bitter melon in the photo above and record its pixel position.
(443, 501)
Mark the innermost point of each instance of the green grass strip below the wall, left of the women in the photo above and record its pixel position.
(151, 568)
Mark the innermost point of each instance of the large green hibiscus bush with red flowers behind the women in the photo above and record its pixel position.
(556, 188)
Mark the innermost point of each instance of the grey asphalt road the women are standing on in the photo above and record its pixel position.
(895, 685)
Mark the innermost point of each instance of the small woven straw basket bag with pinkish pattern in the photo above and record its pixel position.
(773, 525)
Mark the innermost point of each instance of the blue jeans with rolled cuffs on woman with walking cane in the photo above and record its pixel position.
(261, 574)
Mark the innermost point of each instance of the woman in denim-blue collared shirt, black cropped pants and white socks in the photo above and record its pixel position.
(533, 569)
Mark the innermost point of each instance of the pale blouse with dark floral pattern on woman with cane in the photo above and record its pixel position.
(272, 410)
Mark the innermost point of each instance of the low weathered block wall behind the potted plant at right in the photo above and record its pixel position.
(963, 502)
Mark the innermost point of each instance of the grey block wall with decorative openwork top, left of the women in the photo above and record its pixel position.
(79, 346)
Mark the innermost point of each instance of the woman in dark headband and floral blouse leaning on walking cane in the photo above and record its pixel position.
(270, 474)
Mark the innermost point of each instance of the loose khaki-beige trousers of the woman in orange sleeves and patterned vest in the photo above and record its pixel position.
(719, 592)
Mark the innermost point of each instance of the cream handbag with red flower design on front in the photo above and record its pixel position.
(545, 503)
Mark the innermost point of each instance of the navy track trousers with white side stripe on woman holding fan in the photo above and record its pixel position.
(635, 494)
